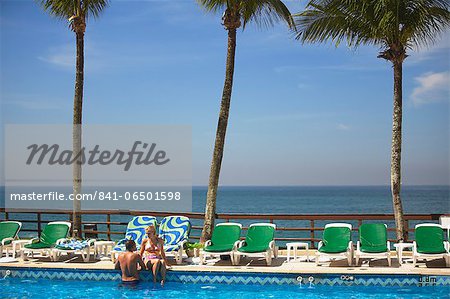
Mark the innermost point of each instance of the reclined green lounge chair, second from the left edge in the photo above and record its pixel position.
(53, 233)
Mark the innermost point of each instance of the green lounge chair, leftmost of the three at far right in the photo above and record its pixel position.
(336, 242)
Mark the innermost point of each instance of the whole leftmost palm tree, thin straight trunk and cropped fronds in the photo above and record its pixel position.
(76, 12)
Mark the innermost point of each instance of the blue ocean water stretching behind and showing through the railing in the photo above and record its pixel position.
(297, 200)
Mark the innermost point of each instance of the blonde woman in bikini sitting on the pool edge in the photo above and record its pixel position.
(152, 252)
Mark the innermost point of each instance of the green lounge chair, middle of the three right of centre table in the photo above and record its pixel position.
(373, 242)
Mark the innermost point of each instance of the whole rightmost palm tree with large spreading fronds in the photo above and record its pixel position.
(396, 26)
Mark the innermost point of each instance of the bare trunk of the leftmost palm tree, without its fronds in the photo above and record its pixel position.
(77, 132)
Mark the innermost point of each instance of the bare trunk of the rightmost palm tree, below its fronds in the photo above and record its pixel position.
(396, 153)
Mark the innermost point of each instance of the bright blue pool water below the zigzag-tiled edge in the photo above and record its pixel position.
(44, 288)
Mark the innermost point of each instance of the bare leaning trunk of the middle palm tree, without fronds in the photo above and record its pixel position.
(210, 209)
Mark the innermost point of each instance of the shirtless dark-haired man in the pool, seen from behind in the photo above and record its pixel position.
(128, 262)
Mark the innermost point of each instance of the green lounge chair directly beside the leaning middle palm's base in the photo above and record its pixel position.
(224, 241)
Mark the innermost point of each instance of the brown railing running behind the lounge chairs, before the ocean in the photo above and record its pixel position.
(112, 223)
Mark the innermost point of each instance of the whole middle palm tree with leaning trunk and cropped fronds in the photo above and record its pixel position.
(235, 14)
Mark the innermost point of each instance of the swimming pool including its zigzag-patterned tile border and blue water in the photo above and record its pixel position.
(71, 283)
